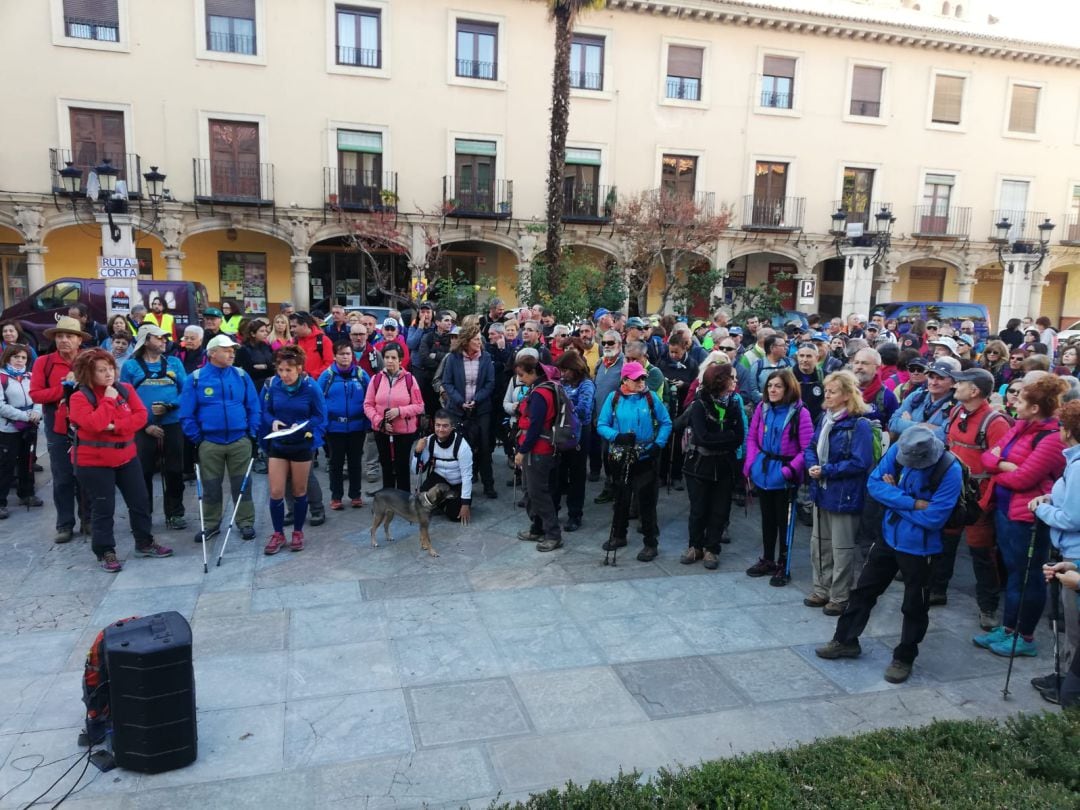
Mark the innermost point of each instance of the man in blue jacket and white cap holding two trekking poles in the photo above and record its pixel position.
(220, 414)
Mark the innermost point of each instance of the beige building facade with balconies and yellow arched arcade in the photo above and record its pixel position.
(286, 126)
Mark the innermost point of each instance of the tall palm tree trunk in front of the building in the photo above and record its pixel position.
(564, 12)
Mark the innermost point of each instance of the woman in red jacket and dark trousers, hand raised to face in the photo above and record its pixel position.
(105, 420)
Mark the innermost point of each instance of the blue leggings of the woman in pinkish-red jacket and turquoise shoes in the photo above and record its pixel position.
(1014, 539)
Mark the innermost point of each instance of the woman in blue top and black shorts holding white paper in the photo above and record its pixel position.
(294, 421)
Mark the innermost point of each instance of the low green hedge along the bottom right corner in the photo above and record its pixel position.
(1031, 762)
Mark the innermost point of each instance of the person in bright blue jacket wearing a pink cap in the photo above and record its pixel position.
(633, 416)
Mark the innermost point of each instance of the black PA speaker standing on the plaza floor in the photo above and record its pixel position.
(152, 693)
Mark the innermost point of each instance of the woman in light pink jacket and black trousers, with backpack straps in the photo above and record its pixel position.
(394, 404)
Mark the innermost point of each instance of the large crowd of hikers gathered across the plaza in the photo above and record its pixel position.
(895, 441)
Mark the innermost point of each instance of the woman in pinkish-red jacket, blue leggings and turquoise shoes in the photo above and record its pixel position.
(1024, 465)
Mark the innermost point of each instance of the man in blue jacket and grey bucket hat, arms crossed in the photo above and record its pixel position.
(915, 516)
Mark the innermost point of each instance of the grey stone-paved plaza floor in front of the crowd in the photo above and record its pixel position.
(357, 678)
